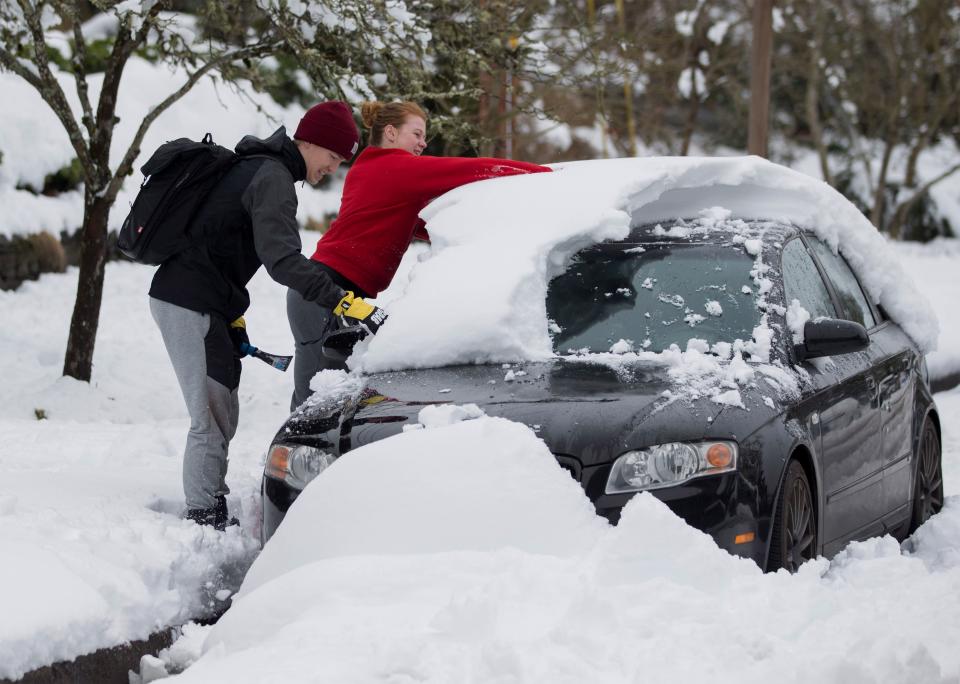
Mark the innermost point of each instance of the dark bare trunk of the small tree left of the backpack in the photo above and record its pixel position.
(78, 362)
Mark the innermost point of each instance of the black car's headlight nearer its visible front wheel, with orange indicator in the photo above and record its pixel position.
(665, 465)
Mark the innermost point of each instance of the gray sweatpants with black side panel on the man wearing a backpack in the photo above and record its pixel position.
(202, 355)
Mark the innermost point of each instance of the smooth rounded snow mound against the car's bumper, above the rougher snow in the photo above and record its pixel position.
(479, 485)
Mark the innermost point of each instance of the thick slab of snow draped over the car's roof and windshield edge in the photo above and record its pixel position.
(479, 295)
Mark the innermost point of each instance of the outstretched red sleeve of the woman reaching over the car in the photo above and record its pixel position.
(432, 176)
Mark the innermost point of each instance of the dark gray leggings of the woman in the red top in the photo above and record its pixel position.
(309, 322)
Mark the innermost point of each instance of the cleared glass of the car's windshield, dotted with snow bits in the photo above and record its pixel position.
(652, 295)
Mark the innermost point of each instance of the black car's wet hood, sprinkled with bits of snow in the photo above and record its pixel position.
(588, 411)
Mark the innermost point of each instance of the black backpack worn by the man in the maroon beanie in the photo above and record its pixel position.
(178, 178)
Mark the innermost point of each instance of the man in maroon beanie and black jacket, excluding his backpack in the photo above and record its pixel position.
(198, 297)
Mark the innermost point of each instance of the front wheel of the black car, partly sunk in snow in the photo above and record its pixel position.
(794, 536)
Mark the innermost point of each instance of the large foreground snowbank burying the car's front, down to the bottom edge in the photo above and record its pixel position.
(472, 557)
